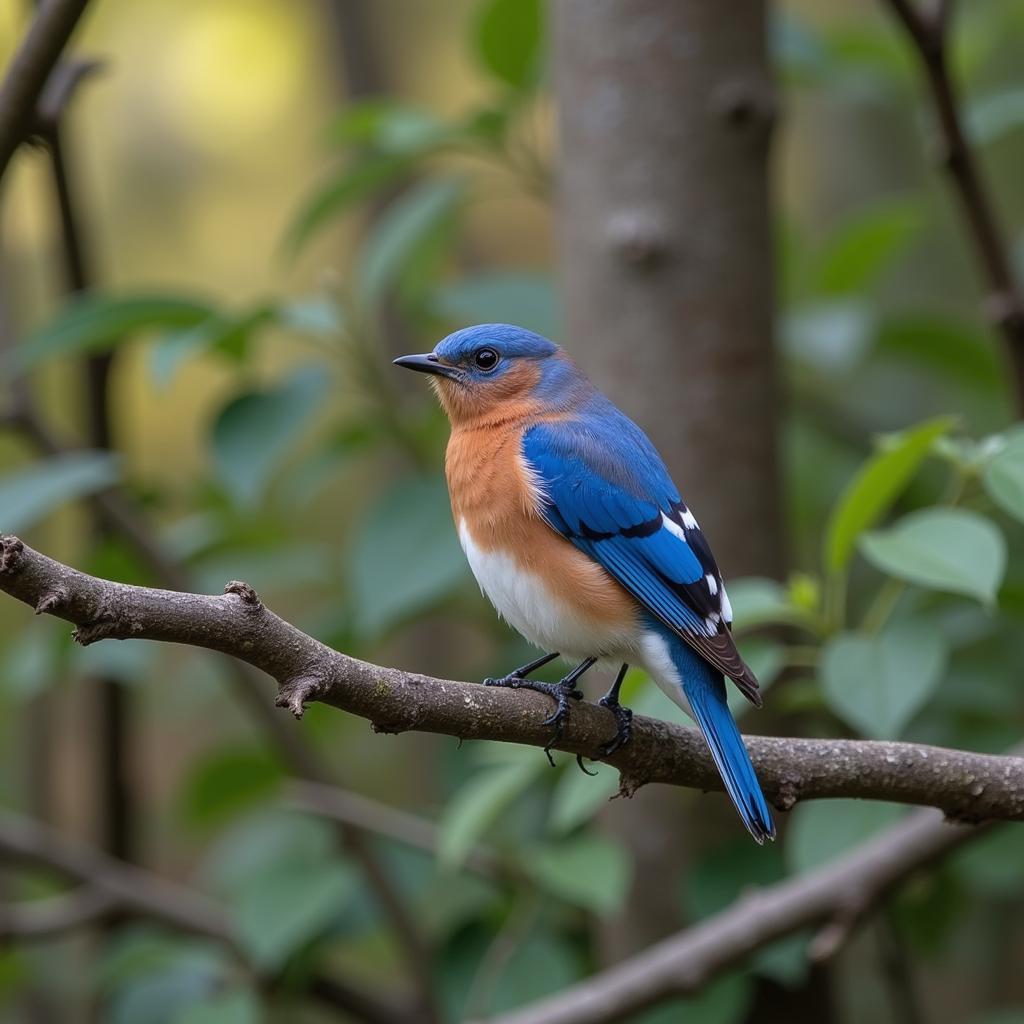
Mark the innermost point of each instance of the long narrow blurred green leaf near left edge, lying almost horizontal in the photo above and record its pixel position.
(96, 323)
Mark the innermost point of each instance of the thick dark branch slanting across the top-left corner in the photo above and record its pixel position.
(29, 70)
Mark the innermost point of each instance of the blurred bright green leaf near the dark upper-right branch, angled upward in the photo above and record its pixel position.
(867, 245)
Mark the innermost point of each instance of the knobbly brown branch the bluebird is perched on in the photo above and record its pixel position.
(965, 786)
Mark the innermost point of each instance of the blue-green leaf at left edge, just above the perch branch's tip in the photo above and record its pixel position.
(29, 495)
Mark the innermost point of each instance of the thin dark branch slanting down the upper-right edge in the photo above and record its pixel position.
(927, 30)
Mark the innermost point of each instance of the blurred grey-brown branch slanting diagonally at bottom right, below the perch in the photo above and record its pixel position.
(838, 895)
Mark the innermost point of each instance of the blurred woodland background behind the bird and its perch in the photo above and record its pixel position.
(259, 204)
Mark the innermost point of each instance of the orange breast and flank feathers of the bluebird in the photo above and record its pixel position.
(495, 501)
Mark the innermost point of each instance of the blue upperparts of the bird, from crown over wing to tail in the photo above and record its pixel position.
(605, 488)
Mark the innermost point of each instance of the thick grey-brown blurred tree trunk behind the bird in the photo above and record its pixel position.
(666, 109)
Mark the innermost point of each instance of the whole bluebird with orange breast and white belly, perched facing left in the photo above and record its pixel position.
(578, 536)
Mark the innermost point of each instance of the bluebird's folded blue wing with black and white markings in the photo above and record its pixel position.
(606, 490)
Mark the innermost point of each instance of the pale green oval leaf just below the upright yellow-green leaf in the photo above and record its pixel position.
(945, 549)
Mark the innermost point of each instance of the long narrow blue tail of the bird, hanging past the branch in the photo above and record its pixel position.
(705, 690)
